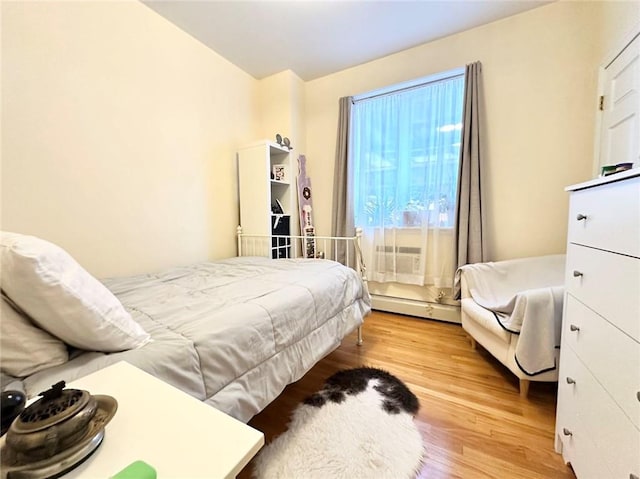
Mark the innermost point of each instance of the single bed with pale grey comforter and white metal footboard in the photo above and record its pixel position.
(232, 333)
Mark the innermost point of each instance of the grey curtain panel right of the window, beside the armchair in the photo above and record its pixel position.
(470, 244)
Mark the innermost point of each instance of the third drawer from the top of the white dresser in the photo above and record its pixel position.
(610, 355)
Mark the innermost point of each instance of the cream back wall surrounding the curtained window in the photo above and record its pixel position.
(540, 77)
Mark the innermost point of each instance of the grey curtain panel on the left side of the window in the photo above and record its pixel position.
(343, 216)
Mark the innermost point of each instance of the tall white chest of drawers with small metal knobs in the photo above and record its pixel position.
(598, 414)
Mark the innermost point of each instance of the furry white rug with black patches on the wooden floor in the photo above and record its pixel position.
(359, 425)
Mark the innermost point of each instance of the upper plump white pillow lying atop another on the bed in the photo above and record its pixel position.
(64, 299)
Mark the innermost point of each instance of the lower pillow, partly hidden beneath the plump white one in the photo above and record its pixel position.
(24, 348)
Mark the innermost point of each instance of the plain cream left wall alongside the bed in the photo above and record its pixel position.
(119, 135)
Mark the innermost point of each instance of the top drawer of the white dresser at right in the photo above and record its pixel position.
(607, 217)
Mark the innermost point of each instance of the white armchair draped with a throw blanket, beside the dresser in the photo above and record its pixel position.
(513, 309)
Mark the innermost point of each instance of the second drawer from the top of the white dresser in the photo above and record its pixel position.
(607, 283)
